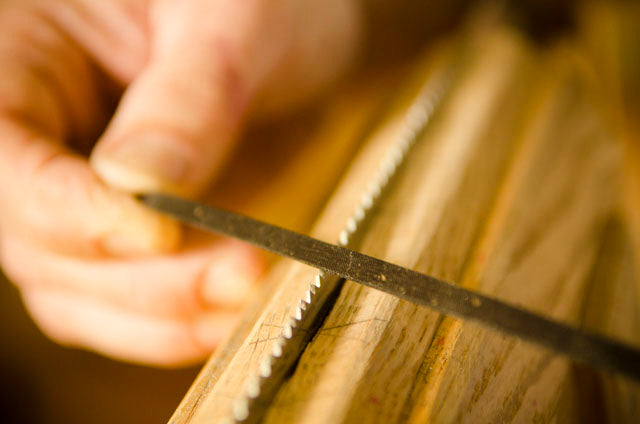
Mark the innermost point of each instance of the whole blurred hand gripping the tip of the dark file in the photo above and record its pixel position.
(155, 93)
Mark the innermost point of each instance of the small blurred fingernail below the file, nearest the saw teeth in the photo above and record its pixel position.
(227, 283)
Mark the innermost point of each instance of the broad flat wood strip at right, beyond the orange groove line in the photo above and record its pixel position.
(538, 251)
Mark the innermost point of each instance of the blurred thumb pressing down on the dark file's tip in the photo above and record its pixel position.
(175, 124)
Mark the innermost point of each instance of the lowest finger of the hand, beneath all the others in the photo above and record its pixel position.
(82, 322)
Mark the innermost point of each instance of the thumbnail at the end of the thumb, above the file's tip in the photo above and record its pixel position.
(148, 163)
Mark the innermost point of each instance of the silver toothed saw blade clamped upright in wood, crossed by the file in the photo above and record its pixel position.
(262, 387)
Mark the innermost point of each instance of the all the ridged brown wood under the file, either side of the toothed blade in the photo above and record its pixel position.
(507, 192)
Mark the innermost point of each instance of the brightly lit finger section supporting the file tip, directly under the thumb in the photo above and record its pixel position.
(52, 196)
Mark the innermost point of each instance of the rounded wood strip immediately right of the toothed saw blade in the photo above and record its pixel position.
(428, 223)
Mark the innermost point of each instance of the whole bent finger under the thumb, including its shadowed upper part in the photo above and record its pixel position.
(47, 98)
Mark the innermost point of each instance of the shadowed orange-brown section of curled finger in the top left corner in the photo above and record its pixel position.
(46, 79)
